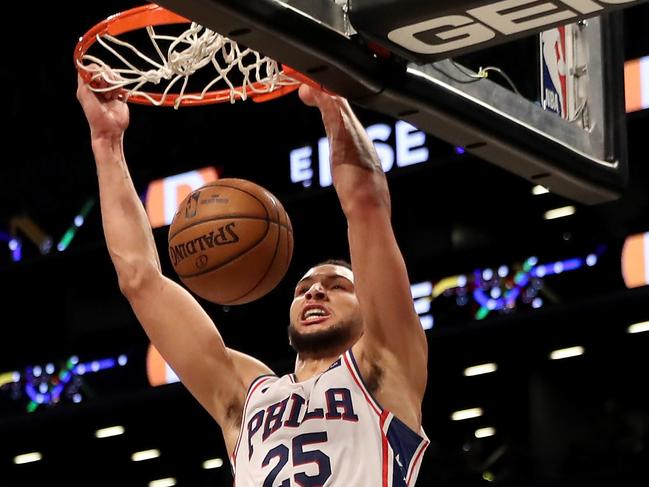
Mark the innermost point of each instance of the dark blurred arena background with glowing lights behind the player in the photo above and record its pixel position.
(535, 304)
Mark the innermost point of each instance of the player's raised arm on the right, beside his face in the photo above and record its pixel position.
(392, 327)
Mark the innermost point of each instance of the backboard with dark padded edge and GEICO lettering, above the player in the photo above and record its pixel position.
(397, 58)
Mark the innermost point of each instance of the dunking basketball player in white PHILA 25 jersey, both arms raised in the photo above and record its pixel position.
(350, 414)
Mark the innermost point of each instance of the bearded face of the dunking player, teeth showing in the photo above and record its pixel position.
(325, 314)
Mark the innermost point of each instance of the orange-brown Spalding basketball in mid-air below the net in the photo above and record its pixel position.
(230, 241)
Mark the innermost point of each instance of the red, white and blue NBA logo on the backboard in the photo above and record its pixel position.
(556, 76)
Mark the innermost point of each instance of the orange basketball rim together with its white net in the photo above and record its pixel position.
(259, 78)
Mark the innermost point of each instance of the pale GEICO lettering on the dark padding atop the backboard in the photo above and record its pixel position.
(481, 24)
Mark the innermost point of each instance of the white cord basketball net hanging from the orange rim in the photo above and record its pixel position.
(196, 48)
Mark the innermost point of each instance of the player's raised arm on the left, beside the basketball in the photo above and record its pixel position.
(176, 324)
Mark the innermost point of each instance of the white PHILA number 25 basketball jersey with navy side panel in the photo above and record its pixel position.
(327, 431)
